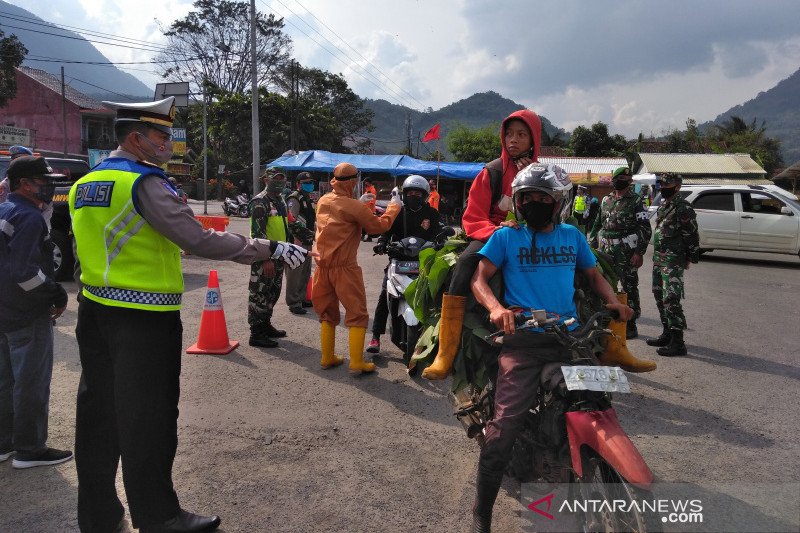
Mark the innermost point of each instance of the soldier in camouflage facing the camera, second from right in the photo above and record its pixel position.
(623, 231)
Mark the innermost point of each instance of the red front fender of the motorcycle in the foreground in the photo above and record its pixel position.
(600, 431)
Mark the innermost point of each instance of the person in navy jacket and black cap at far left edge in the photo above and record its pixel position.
(30, 301)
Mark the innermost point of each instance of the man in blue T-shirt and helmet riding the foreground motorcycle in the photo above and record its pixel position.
(538, 262)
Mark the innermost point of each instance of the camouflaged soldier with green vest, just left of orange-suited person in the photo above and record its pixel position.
(268, 220)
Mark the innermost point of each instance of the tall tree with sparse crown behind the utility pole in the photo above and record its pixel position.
(213, 43)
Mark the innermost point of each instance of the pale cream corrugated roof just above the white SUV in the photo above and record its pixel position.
(702, 164)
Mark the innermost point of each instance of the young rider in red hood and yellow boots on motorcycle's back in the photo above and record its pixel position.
(487, 210)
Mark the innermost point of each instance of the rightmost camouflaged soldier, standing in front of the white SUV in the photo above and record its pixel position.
(676, 245)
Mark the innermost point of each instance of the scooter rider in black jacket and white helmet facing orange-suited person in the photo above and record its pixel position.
(416, 219)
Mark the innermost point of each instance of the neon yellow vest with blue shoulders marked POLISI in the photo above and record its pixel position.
(124, 261)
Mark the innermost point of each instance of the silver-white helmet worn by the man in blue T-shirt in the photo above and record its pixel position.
(547, 178)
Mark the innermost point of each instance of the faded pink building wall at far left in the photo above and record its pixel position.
(38, 108)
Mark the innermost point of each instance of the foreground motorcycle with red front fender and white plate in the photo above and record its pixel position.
(571, 433)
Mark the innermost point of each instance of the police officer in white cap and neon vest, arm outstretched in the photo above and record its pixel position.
(130, 226)
